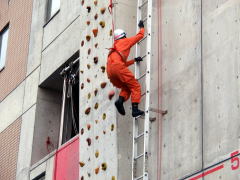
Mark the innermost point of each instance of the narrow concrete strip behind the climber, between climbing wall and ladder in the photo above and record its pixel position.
(128, 23)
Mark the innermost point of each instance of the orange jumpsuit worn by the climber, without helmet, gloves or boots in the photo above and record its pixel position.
(117, 68)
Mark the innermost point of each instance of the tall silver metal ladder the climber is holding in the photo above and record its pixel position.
(143, 156)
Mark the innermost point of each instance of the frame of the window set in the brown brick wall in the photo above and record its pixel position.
(2, 32)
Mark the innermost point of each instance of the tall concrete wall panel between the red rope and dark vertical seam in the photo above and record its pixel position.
(181, 85)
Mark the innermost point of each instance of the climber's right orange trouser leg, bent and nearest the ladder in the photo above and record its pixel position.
(132, 84)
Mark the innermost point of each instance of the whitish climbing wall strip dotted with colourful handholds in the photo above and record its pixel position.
(98, 140)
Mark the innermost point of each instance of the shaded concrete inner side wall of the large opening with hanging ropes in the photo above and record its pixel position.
(47, 123)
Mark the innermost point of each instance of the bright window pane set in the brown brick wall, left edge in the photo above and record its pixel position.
(3, 46)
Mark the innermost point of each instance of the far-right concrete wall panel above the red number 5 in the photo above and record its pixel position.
(221, 67)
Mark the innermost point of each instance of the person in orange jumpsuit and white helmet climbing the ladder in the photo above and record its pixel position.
(119, 74)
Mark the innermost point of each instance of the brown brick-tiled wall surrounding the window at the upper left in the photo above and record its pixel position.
(18, 14)
